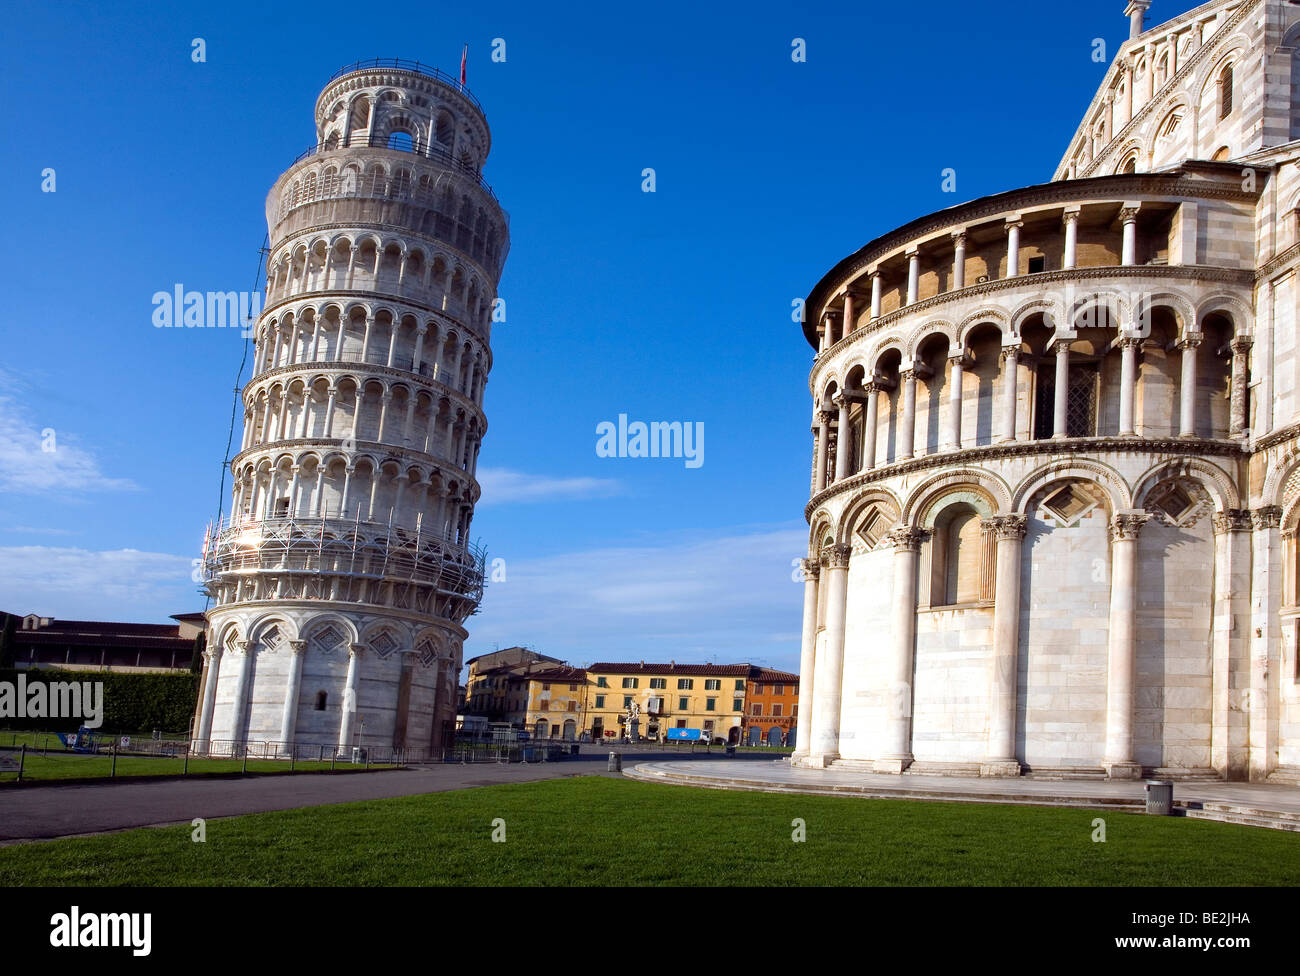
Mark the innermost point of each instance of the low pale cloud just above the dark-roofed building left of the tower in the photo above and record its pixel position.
(79, 584)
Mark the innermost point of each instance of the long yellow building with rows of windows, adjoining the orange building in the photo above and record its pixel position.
(705, 697)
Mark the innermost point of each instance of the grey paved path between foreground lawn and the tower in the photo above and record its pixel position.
(32, 813)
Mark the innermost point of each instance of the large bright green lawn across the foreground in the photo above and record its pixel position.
(597, 831)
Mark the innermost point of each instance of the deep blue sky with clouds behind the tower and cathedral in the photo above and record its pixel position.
(673, 306)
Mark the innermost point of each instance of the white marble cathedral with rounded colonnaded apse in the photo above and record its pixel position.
(1056, 467)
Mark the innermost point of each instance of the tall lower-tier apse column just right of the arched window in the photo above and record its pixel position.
(1002, 761)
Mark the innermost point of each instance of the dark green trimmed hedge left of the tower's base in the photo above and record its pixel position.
(133, 702)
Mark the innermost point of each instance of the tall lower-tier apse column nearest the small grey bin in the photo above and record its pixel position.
(1123, 648)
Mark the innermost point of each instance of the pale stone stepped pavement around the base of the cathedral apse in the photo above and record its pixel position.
(1256, 804)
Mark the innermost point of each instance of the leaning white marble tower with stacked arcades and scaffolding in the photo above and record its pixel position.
(344, 576)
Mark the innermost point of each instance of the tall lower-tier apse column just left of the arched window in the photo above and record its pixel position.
(896, 748)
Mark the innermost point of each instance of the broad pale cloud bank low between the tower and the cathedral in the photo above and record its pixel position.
(729, 597)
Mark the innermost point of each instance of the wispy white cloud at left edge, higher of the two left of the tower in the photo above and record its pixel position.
(29, 467)
